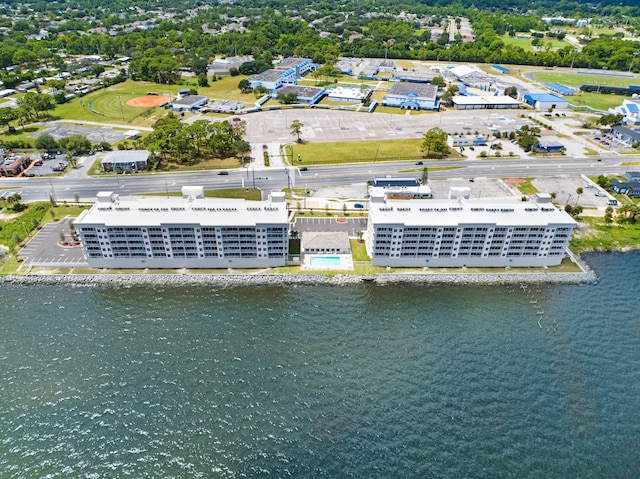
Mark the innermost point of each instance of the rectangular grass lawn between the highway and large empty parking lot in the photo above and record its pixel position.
(349, 152)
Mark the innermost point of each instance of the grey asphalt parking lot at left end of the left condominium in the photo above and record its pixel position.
(44, 248)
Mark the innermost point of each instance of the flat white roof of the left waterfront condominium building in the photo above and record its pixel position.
(155, 211)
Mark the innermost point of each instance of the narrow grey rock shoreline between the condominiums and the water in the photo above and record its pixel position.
(228, 280)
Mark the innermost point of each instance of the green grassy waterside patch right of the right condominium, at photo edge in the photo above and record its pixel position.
(603, 237)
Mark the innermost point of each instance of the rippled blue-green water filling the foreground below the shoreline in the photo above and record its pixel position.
(352, 382)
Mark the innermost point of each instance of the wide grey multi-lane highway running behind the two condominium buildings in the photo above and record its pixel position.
(66, 188)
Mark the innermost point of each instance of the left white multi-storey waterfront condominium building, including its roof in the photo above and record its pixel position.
(187, 232)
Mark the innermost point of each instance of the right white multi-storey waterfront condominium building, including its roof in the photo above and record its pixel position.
(463, 232)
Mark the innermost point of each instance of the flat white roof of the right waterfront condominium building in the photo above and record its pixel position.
(460, 212)
